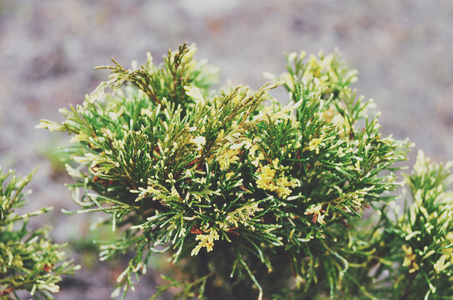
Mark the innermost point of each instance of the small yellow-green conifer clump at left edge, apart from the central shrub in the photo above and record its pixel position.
(28, 259)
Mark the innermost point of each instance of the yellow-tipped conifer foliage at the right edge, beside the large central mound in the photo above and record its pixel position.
(420, 242)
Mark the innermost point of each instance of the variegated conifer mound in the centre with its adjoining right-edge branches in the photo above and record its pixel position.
(251, 198)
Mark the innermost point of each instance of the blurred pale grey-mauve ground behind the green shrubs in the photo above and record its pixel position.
(48, 49)
